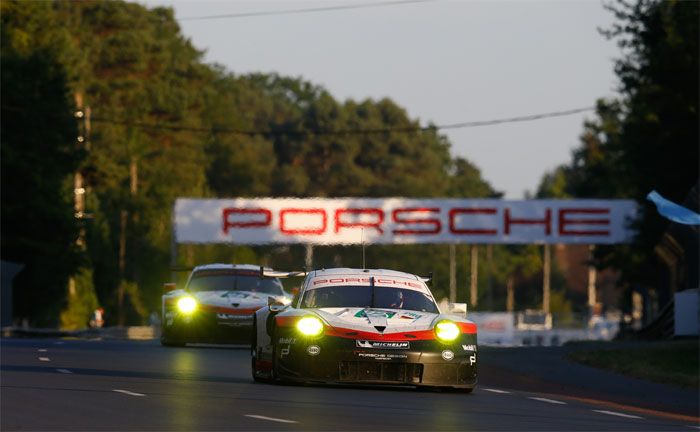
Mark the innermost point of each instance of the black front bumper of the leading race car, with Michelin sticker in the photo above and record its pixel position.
(342, 360)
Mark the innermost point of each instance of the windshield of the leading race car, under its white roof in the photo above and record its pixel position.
(368, 296)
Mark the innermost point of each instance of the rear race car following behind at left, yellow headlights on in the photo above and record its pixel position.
(217, 304)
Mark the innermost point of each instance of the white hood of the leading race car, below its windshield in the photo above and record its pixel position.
(377, 320)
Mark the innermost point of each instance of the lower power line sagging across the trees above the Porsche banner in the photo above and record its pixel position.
(406, 129)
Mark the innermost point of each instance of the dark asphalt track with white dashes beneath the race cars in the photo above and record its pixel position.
(63, 384)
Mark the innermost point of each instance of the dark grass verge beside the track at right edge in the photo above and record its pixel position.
(668, 362)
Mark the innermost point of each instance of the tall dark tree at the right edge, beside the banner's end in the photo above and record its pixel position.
(647, 139)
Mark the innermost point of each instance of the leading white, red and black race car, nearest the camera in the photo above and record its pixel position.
(363, 326)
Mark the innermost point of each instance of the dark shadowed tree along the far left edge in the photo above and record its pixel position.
(38, 159)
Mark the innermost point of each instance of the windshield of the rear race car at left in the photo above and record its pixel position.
(232, 280)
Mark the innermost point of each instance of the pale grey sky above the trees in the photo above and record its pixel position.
(444, 61)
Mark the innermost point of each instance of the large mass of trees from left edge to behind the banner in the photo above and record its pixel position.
(164, 124)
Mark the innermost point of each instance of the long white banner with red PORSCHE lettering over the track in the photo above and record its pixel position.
(401, 221)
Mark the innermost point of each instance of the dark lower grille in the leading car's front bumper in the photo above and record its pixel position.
(407, 373)
